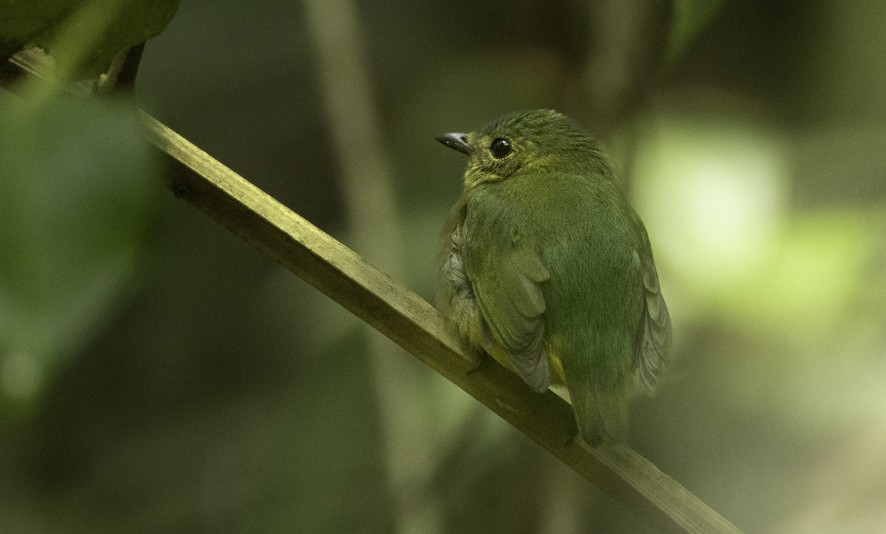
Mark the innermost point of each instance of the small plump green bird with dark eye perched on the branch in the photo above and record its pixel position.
(546, 267)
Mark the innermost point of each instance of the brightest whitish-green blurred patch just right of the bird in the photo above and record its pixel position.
(712, 188)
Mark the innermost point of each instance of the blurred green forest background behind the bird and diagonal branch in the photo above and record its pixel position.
(157, 373)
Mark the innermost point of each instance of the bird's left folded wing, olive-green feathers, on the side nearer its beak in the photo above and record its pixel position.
(512, 305)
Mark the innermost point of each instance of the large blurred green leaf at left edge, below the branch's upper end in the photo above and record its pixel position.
(76, 191)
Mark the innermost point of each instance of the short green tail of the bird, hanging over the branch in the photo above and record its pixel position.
(599, 413)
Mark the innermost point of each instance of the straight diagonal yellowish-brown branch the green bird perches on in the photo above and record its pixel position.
(415, 325)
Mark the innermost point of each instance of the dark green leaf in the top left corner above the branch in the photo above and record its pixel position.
(82, 35)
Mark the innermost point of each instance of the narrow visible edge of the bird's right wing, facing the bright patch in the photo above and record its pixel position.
(655, 341)
